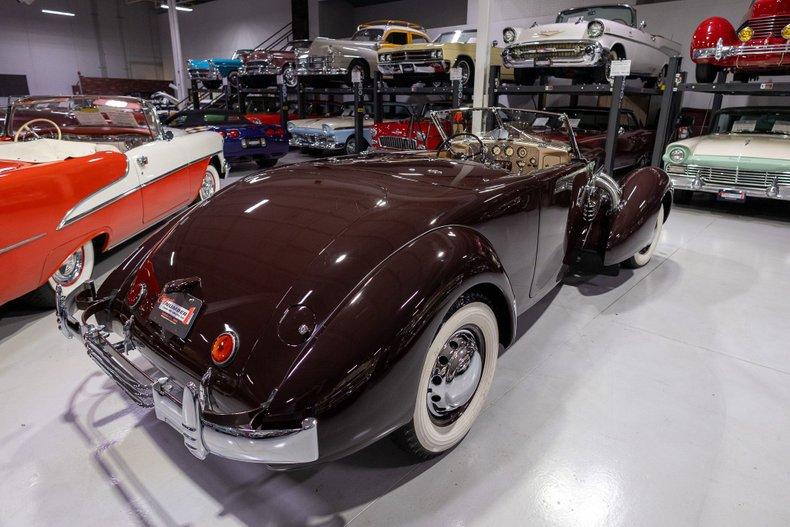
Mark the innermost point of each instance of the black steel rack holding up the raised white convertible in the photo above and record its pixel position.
(618, 89)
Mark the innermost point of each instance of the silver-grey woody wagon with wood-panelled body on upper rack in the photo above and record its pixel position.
(334, 60)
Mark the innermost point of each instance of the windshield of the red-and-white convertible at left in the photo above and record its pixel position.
(83, 117)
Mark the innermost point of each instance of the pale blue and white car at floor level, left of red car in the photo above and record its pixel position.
(333, 134)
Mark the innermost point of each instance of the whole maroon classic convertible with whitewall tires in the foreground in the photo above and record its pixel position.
(368, 295)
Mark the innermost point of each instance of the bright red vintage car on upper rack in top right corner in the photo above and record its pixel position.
(759, 45)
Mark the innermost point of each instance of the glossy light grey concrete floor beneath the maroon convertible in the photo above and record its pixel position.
(657, 397)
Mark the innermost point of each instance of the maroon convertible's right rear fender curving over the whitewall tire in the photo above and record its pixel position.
(359, 374)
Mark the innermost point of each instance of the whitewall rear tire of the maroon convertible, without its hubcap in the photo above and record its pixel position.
(426, 437)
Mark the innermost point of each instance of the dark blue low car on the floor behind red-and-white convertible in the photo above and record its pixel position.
(244, 140)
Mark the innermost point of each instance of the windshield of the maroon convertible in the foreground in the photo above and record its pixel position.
(544, 128)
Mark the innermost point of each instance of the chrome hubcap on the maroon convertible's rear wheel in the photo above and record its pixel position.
(456, 373)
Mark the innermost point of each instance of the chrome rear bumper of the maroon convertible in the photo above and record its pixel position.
(181, 407)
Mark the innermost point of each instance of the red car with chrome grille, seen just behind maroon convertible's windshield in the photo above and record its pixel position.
(415, 133)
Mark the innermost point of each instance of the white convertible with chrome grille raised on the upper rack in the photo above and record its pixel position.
(582, 44)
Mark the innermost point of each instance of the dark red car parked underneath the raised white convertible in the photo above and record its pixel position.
(634, 145)
